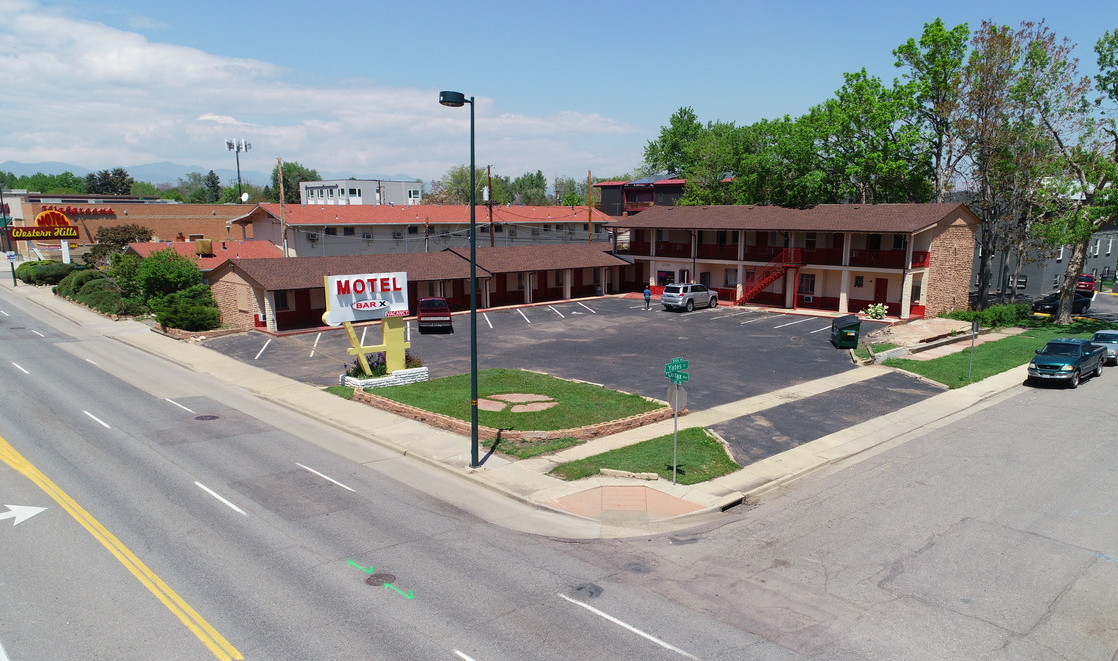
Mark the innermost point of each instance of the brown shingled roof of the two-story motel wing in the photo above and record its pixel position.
(868, 219)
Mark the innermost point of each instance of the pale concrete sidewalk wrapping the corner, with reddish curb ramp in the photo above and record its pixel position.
(623, 506)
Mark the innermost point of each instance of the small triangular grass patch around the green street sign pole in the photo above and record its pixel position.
(702, 458)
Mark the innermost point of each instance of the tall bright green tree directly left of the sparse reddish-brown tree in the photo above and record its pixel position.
(935, 69)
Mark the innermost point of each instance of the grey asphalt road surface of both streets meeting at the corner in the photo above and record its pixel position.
(991, 536)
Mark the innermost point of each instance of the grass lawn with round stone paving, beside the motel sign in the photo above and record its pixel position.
(579, 404)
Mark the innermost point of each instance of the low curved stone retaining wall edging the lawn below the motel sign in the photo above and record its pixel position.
(459, 427)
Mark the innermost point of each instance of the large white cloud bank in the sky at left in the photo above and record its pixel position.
(86, 93)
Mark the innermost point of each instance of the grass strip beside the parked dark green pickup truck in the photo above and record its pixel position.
(992, 358)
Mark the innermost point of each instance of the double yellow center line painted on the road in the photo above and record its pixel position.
(196, 624)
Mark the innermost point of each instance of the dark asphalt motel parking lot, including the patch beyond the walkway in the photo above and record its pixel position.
(734, 354)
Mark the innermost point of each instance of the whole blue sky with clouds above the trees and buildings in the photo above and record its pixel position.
(350, 88)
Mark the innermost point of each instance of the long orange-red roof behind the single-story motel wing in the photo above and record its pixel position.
(317, 215)
